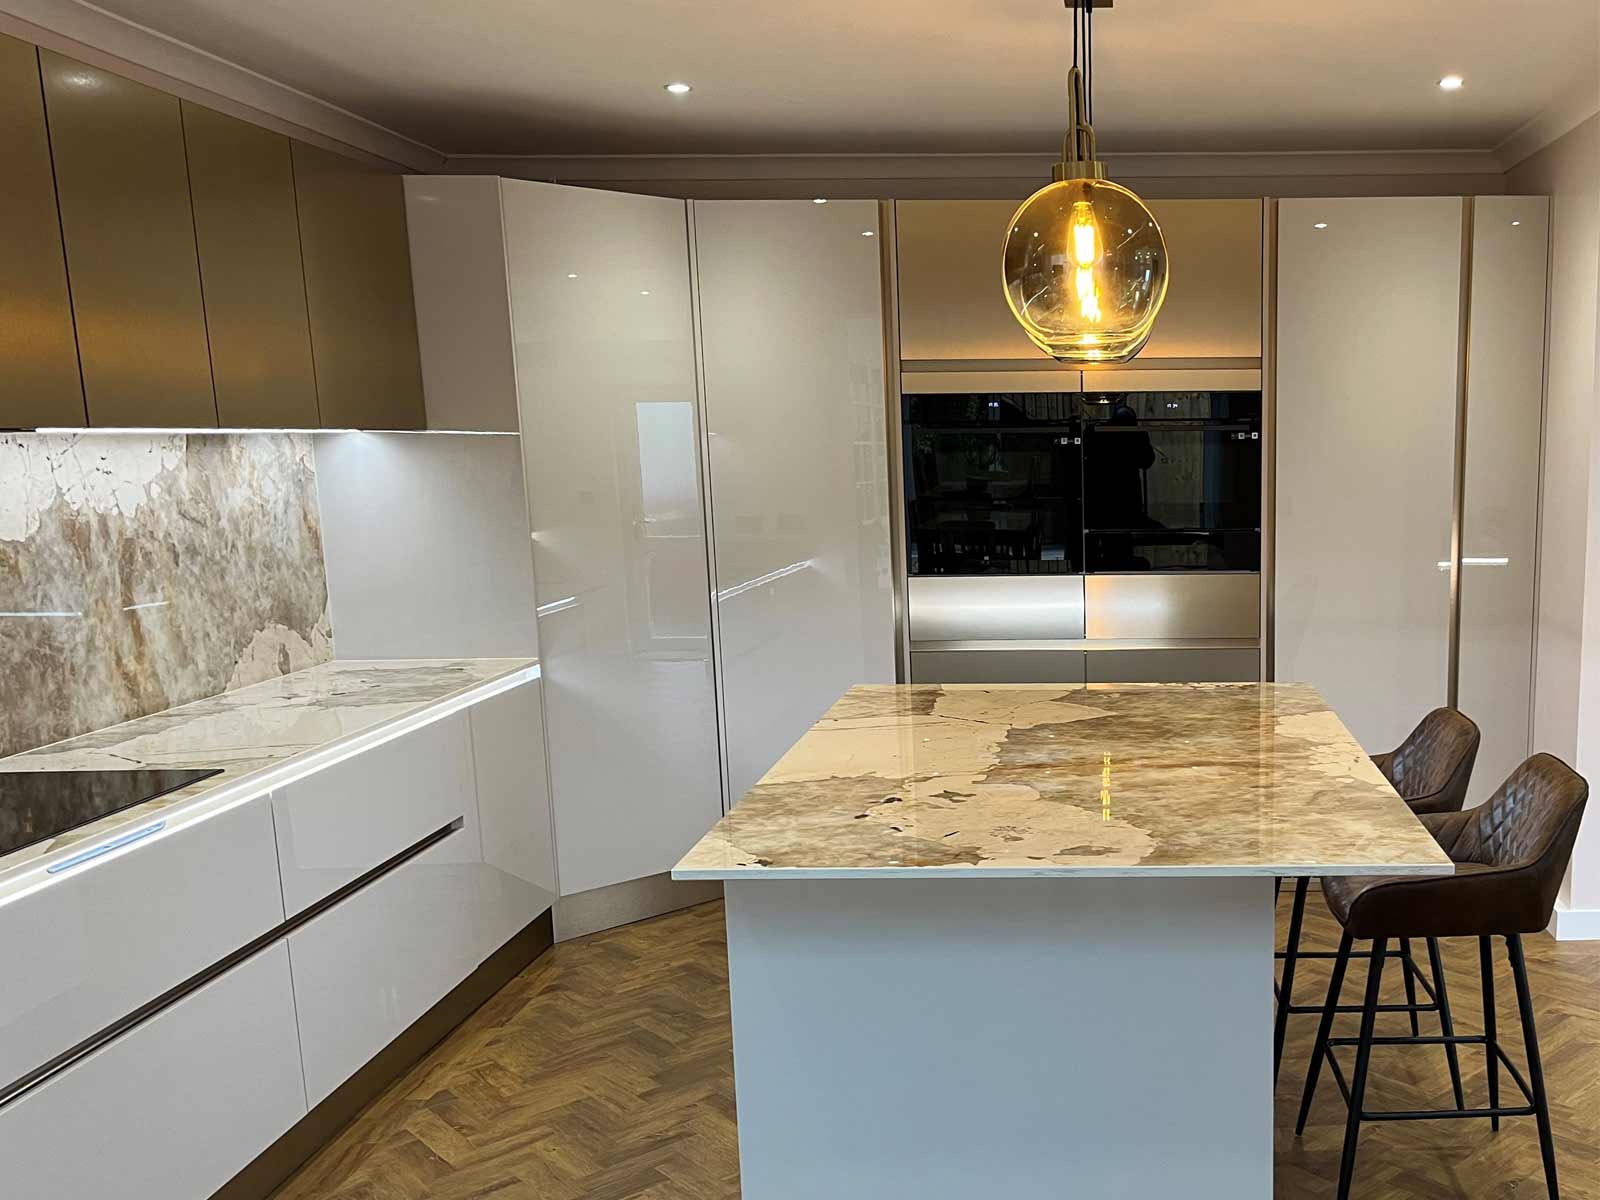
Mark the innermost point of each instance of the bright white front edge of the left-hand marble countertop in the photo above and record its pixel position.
(25, 878)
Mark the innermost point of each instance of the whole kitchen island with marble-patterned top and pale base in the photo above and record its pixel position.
(1018, 940)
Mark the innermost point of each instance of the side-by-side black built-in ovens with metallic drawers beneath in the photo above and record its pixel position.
(1134, 516)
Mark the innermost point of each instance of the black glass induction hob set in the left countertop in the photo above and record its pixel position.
(39, 806)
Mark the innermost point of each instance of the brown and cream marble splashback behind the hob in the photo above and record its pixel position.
(145, 572)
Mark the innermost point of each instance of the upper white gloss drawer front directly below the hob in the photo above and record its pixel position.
(116, 932)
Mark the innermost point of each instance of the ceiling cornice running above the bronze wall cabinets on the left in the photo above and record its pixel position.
(116, 44)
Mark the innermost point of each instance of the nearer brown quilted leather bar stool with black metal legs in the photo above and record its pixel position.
(1511, 855)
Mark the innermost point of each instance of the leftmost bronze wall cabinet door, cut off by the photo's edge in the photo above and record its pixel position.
(39, 383)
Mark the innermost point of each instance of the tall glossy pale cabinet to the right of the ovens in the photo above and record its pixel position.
(1410, 377)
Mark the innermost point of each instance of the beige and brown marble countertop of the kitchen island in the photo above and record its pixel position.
(1071, 780)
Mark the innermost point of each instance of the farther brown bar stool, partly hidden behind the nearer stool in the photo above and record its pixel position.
(1431, 772)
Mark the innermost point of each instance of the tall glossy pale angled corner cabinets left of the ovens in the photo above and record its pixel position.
(700, 396)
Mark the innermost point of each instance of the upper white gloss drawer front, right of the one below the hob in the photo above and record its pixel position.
(350, 818)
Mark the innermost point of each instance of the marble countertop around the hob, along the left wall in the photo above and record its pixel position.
(260, 737)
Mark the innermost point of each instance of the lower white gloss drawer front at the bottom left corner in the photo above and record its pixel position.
(174, 1108)
